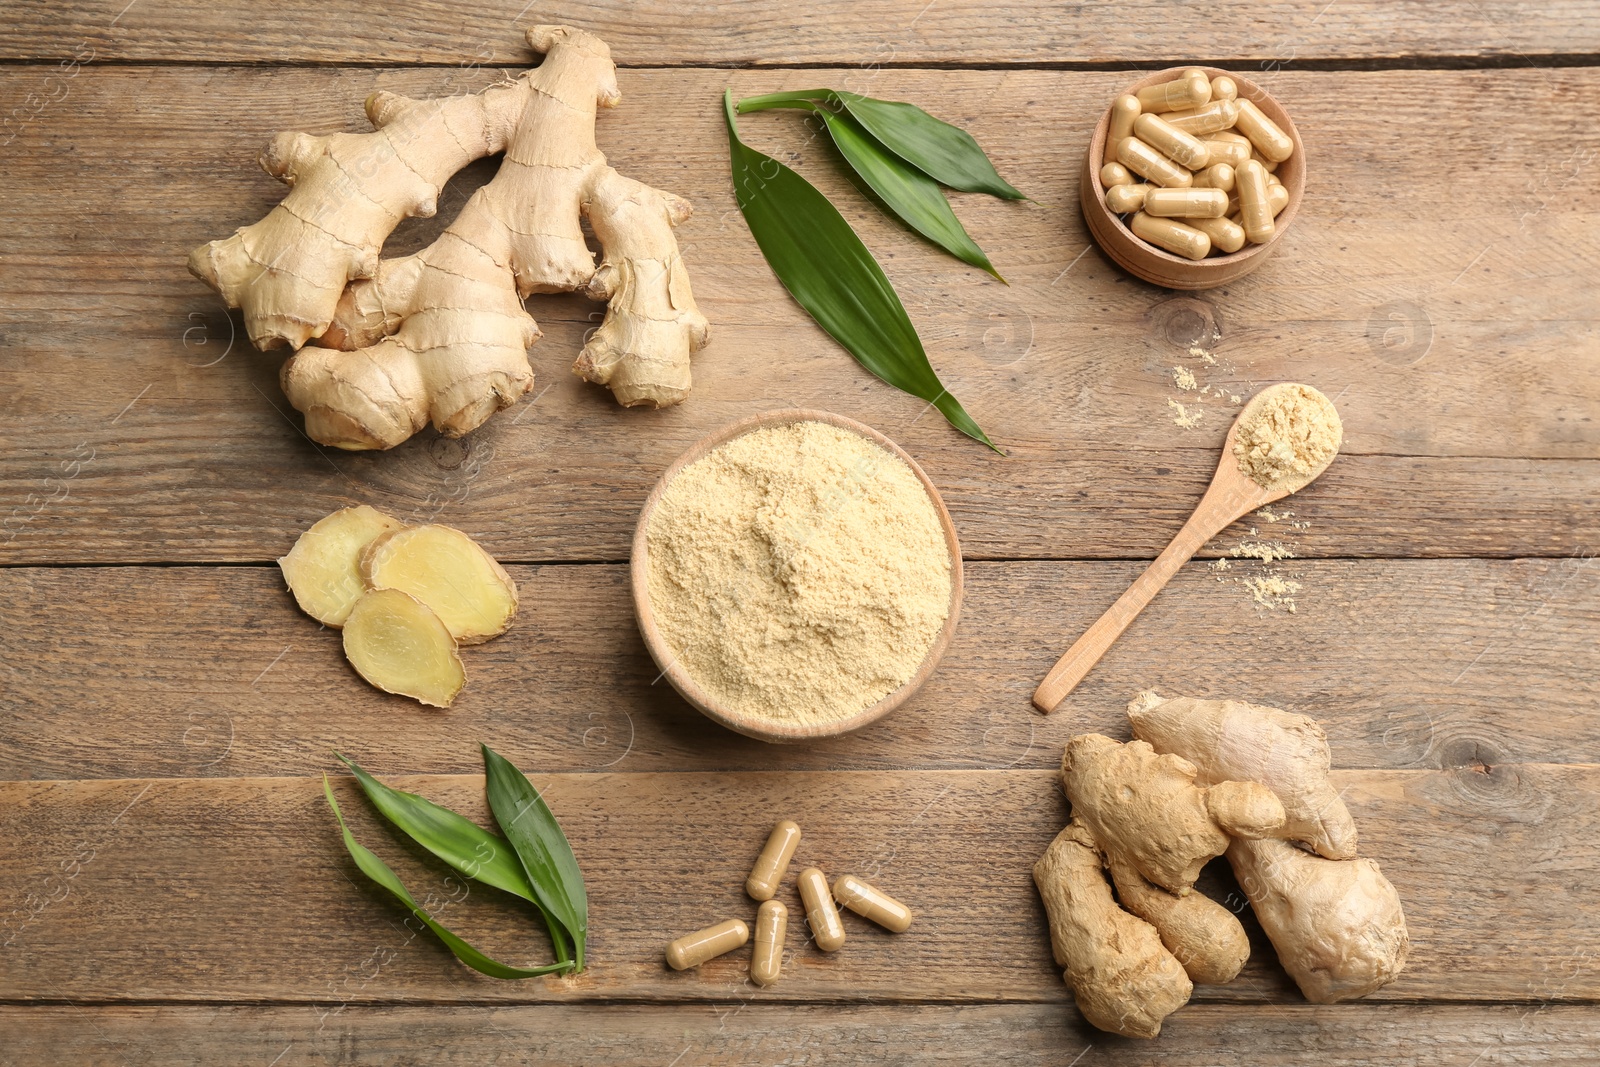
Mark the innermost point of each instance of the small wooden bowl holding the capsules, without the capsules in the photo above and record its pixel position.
(1159, 266)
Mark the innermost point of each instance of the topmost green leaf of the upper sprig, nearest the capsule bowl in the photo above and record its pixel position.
(948, 154)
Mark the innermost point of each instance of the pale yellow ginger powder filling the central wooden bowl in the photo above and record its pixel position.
(799, 573)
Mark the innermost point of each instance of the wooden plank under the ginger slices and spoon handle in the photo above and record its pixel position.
(212, 673)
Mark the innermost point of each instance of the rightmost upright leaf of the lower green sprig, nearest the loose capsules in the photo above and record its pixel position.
(542, 847)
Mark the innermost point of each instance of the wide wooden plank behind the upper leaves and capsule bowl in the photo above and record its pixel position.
(1449, 340)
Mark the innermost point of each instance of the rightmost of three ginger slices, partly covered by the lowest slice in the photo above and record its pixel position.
(449, 572)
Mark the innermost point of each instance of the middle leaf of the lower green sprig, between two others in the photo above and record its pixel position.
(460, 842)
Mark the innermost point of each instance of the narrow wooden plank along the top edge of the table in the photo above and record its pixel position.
(839, 33)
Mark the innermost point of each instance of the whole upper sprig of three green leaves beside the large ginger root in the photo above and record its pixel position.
(903, 156)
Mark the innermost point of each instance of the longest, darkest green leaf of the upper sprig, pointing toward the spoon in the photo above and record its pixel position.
(831, 274)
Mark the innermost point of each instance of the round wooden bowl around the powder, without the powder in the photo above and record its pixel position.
(767, 730)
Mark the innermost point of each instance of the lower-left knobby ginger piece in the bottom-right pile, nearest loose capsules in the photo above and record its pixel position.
(1122, 977)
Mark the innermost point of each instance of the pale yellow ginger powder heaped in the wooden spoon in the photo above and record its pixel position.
(1287, 436)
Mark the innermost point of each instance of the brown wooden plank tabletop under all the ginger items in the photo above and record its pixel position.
(172, 885)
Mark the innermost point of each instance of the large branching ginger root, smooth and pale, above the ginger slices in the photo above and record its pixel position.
(442, 337)
